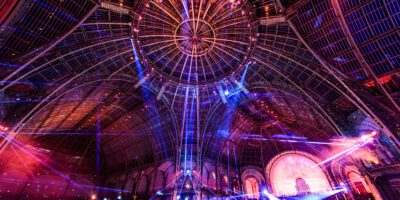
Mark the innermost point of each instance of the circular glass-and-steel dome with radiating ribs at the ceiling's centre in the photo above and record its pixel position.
(196, 42)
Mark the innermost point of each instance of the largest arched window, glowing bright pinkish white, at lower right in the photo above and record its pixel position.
(293, 174)
